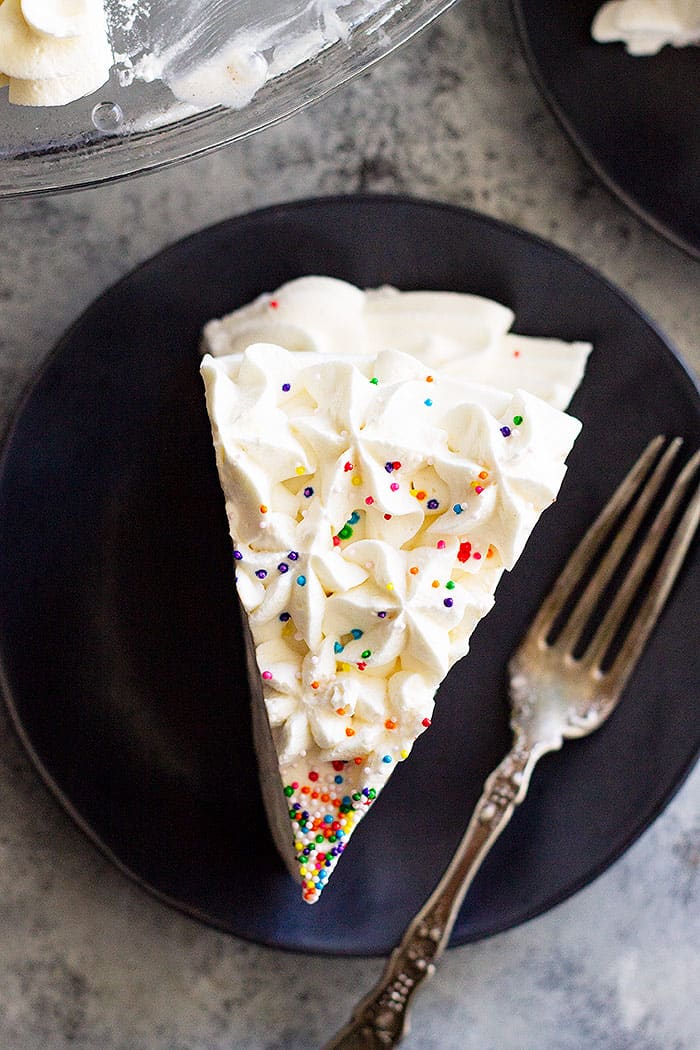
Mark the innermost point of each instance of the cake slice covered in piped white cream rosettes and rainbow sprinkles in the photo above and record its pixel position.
(374, 508)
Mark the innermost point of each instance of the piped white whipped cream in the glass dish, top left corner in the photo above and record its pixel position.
(53, 52)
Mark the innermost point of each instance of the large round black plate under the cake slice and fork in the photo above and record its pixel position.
(120, 640)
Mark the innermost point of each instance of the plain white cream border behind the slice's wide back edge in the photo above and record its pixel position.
(465, 337)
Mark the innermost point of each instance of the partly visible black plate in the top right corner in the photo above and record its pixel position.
(635, 120)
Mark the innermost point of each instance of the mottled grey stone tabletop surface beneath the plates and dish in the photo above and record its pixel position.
(87, 959)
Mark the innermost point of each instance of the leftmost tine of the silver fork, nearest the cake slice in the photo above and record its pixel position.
(581, 559)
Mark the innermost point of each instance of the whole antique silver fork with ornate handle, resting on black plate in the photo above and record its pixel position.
(557, 695)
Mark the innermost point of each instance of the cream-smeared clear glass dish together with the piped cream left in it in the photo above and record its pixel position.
(177, 78)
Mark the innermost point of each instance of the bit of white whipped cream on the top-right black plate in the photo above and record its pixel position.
(646, 27)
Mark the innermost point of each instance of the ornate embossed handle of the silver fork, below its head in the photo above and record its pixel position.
(381, 1020)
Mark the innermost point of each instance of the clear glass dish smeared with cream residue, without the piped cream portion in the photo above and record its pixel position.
(147, 115)
